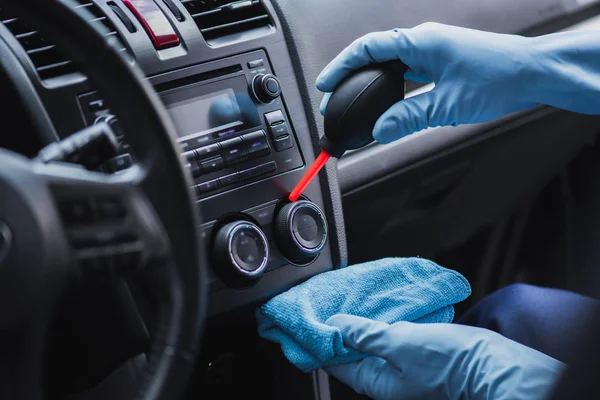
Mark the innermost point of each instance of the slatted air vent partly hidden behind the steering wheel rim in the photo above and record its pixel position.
(50, 62)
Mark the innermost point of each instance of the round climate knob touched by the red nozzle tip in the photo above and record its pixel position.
(301, 231)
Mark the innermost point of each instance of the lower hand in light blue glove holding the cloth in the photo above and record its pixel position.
(440, 361)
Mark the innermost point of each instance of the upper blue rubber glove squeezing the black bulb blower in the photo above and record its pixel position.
(479, 76)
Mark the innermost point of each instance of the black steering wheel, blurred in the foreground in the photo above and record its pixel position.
(141, 221)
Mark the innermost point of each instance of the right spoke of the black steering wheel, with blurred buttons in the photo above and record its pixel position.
(111, 227)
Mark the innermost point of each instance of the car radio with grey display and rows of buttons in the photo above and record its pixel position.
(231, 123)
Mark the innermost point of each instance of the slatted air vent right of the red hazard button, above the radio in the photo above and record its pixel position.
(221, 18)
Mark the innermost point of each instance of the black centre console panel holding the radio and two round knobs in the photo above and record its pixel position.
(245, 154)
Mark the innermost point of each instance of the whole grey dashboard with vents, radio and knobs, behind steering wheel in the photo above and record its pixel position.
(237, 79)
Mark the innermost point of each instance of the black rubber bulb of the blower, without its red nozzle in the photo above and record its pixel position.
(357, 103)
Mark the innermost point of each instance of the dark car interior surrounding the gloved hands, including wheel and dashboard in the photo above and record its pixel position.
(142, 139)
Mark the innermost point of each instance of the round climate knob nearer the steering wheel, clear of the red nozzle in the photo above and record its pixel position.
(240, 253)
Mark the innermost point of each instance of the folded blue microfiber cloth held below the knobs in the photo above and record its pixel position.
(387, 290)
